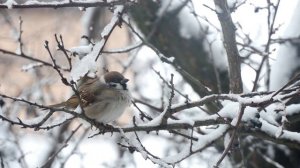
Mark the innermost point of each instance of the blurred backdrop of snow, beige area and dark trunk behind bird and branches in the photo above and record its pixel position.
(185, 31)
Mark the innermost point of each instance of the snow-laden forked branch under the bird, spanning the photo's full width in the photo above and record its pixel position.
(245, 114)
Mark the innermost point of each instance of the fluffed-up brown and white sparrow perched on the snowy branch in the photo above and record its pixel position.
(102, 98)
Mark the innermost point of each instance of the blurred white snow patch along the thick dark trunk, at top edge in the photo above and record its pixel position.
(197, 27)
